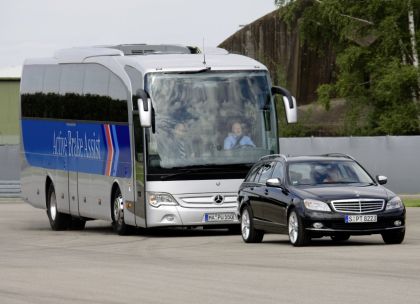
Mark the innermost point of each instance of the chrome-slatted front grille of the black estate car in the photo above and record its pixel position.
(358, 205)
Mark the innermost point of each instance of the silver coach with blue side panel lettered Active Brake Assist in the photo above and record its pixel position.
(144, 135)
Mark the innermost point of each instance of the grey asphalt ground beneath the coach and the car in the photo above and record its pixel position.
(38, 265)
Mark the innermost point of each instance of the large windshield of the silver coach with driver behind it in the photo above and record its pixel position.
(210, 119)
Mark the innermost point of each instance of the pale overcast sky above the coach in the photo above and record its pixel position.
(36, 28)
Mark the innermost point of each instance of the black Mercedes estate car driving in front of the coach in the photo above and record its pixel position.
(314, 196)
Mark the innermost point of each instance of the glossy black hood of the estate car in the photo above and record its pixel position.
(333, 192)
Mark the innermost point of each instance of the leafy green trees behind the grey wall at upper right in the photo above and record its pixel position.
(376, 64)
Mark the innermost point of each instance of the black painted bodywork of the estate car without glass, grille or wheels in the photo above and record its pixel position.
(272, 205)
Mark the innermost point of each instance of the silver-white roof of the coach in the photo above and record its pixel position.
(167, 58)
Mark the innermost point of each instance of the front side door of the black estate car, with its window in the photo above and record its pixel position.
(277, 199)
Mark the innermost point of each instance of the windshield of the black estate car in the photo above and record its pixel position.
(304, 173)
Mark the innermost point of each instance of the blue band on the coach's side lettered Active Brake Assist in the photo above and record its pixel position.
(75, 146)
